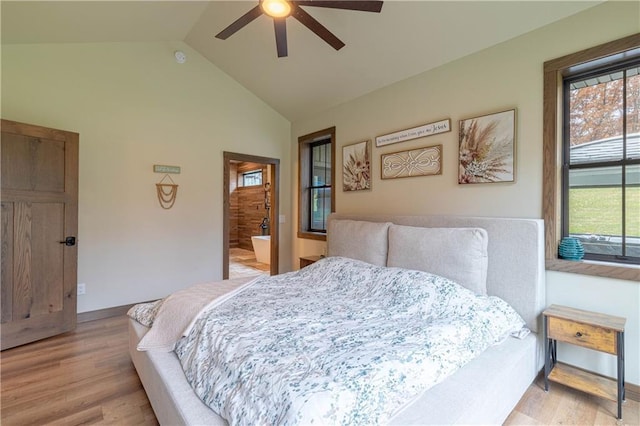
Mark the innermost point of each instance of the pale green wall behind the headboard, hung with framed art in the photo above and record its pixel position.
(505, 76)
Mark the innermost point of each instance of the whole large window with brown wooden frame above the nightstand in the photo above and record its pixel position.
(591, 180)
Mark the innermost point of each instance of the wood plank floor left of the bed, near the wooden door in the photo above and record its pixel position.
(80, 377)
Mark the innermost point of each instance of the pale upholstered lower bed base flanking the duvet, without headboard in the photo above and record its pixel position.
(484, 391)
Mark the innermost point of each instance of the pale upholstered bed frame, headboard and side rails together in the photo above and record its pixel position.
(484, 391)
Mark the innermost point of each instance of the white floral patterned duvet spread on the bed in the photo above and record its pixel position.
(339, 342)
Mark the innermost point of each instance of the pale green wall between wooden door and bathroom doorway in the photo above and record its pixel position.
(134, 107)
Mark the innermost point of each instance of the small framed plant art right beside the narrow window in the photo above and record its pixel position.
(356, 166)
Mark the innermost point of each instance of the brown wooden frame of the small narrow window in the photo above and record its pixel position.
(305, 144)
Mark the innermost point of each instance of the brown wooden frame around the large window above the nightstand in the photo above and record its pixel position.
(553, 128)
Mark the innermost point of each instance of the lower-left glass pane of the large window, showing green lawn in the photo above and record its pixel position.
(595, 209)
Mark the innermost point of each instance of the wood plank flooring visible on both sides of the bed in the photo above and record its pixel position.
(86, 377)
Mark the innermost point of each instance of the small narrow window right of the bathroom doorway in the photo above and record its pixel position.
(316, 155)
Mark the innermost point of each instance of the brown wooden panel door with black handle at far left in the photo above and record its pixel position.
(39, 212)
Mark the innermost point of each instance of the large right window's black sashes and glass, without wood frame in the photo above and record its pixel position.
(601, 161)
